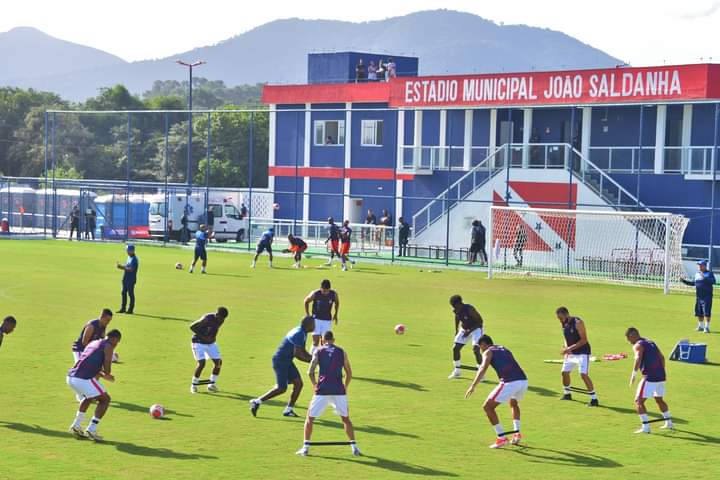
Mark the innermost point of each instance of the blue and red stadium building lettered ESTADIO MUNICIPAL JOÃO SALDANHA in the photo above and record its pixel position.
(426, 147)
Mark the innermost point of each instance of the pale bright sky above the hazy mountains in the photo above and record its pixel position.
(641, 32)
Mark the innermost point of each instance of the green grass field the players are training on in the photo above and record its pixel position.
(411, 421)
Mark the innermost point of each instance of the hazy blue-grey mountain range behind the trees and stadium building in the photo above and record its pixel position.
(446, 42)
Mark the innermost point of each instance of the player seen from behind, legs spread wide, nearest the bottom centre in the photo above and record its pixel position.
(329, 389)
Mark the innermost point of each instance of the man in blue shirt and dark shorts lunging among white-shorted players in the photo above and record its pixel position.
(292, 346)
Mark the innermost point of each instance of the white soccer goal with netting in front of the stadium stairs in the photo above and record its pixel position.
(639, 248)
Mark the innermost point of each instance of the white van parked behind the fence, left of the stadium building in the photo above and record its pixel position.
(227, 224)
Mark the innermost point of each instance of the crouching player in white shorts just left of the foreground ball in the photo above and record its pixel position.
(94, 363)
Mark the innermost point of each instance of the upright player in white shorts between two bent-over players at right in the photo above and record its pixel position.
(577, 353)
